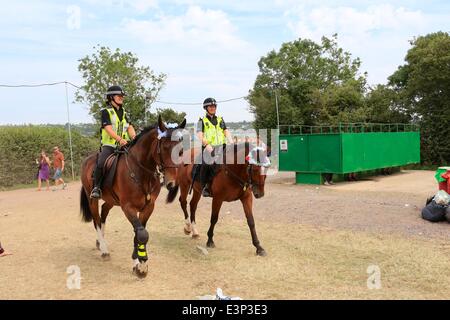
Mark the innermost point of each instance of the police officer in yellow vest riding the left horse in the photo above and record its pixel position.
(116, 132)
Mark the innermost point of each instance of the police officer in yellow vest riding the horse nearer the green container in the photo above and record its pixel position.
(212, 132)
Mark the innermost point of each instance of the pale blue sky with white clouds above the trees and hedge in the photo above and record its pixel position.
(206, 48)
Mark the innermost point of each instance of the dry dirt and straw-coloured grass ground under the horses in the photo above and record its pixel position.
(322, 242)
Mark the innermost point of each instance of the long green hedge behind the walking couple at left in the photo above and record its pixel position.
(21, 146)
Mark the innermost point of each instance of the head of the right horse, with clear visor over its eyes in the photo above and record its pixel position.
(258, 162)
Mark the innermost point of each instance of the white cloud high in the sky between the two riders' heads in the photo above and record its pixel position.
(208, 30)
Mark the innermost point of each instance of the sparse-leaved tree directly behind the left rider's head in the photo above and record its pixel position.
(105, 68)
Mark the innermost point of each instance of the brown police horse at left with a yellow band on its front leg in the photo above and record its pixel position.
(135, 187)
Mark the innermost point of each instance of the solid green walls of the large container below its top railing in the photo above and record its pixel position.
(348, 152)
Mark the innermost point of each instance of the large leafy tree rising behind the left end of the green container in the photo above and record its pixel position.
(315, 84)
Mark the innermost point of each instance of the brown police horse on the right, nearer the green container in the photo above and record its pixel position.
(239, 180)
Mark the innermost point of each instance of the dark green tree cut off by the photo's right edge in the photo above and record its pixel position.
(423, 86)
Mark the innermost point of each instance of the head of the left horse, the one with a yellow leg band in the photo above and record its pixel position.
(169, 151)
